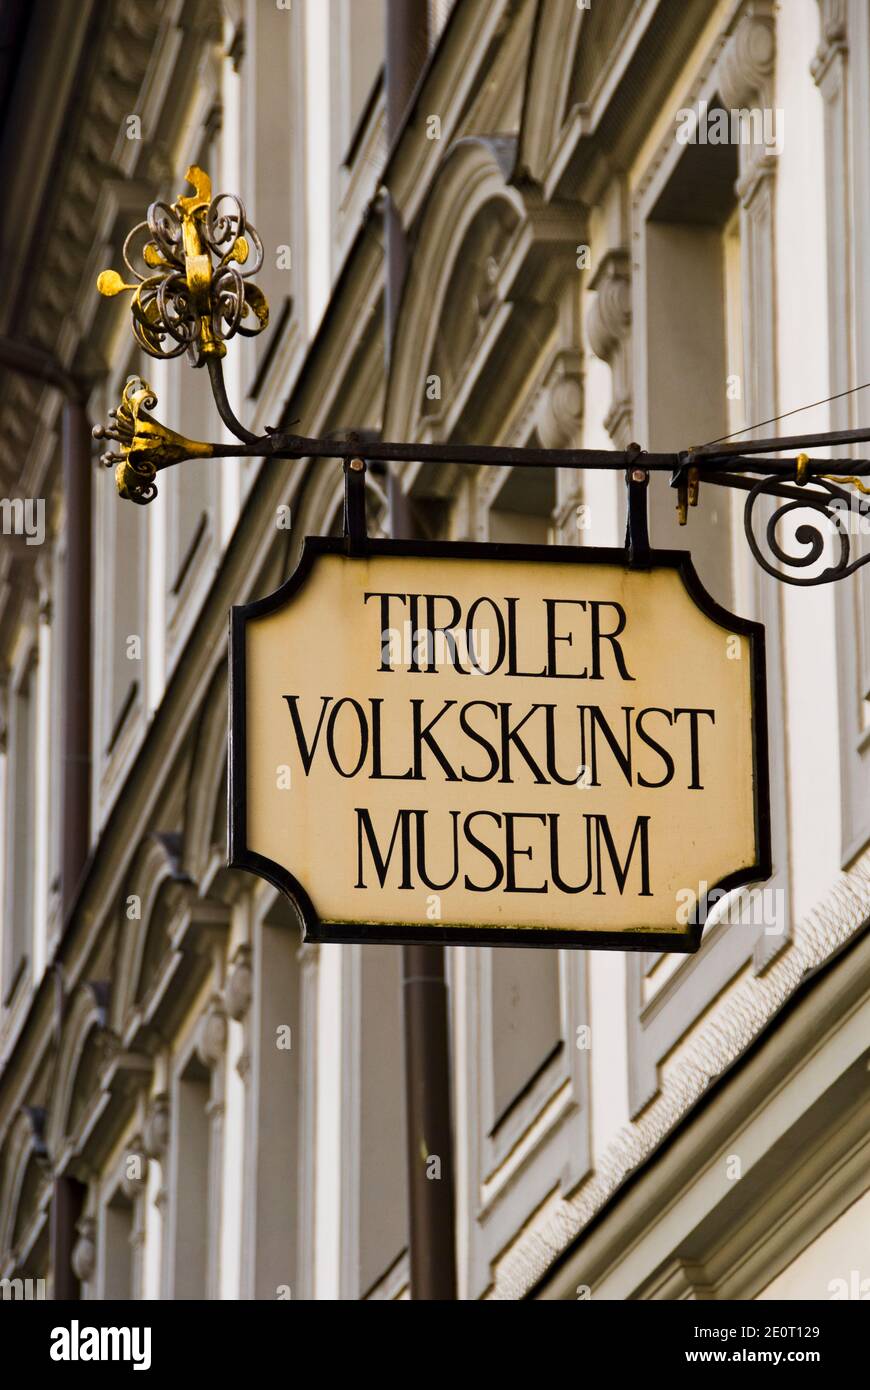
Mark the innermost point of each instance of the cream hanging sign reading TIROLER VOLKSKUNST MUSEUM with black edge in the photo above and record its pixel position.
(497, 744)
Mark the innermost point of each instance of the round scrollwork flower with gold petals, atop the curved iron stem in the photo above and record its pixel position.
(192, 295)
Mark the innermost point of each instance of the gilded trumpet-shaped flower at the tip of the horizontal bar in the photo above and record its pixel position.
(147, 445)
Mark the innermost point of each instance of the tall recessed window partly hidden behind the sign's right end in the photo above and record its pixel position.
(703, 290)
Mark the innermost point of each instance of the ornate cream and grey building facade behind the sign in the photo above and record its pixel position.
(217, 1106)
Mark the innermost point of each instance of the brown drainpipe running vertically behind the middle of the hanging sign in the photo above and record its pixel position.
(425, 992)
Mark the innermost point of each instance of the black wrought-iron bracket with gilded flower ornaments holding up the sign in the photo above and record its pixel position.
(191, 294)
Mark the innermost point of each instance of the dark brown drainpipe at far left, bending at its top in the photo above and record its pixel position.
(67, 1197)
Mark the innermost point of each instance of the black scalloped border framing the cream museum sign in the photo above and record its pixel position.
(240, 857)
